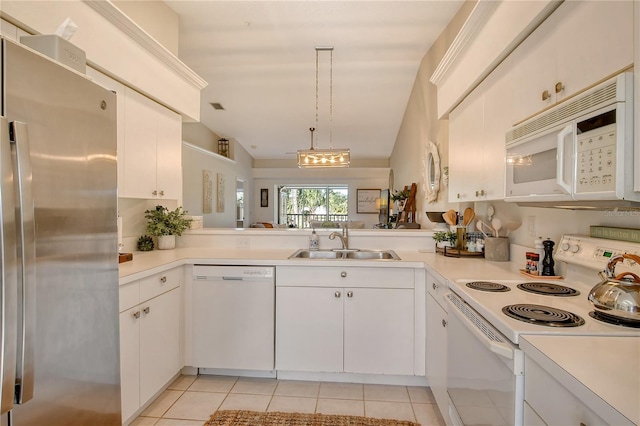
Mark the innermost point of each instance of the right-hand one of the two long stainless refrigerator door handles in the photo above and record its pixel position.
(25, 224)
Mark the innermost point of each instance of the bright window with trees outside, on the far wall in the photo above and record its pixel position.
(299, 206)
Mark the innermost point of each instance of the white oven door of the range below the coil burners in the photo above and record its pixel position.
(485, 371)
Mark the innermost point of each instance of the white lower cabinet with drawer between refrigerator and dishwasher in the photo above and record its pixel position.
(150, 354)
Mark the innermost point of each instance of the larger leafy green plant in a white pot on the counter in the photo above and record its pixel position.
(165, 224)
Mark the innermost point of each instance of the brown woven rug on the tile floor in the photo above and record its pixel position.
(253, 418)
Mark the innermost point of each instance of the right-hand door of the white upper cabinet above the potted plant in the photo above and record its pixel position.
(169, 154)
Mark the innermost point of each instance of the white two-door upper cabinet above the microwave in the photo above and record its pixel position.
(579, 45)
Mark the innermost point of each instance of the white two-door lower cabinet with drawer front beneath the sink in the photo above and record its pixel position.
(322, 327)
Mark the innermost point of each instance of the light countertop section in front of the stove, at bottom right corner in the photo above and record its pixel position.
(603, 372)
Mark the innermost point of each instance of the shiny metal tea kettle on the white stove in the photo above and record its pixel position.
(618, 295)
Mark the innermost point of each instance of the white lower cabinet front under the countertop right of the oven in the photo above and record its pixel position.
(548, 402)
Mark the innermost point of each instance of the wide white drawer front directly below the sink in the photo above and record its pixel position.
(348, 276)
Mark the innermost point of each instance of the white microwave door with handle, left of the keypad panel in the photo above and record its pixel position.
(541, 167)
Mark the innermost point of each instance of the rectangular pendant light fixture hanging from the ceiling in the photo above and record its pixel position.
(332, 157)
